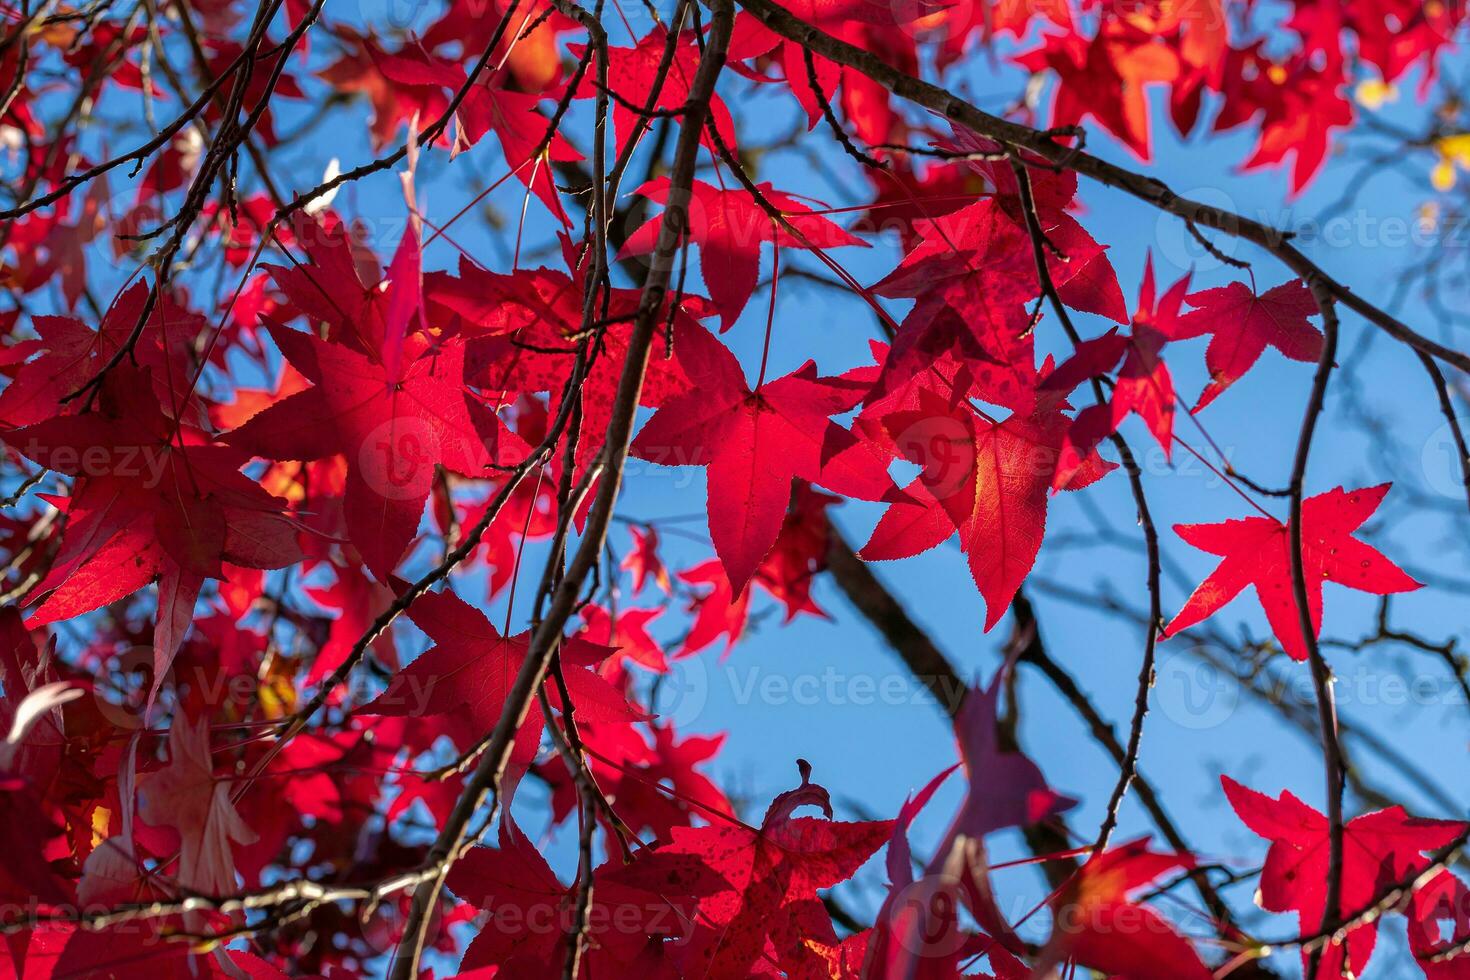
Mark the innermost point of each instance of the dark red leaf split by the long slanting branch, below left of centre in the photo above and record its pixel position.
(470, 671)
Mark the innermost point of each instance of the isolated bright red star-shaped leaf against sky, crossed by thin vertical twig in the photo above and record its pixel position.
(1256, 553)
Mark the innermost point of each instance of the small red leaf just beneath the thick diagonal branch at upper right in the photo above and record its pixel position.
(1243, 325)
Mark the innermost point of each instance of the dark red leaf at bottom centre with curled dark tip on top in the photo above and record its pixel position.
(768, 906)
